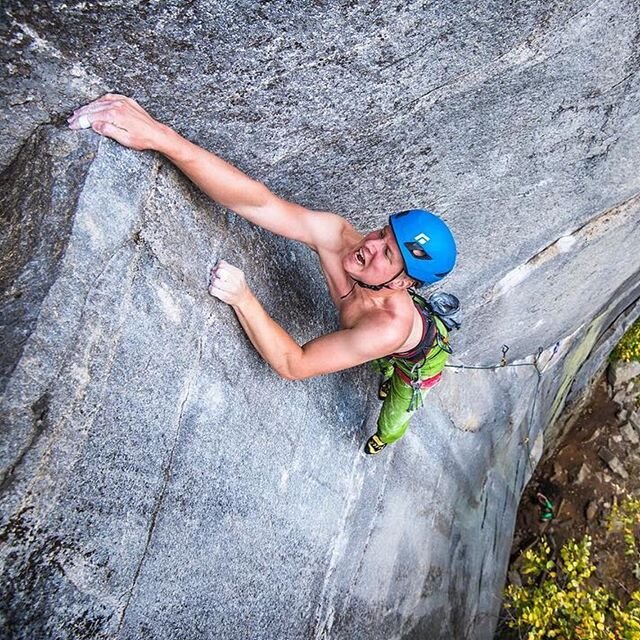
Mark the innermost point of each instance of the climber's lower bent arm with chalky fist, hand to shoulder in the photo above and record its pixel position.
(374, 337)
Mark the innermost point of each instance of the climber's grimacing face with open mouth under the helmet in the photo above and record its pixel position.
(376, 258)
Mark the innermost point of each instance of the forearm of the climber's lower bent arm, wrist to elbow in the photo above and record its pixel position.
(271, 341)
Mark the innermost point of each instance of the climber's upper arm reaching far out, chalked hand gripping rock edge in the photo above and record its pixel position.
(124, 120)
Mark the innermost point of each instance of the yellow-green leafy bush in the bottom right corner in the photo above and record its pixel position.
(557, 599)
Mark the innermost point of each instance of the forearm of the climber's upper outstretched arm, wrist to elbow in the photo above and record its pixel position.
(220, 180)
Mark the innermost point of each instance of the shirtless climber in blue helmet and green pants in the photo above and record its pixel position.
(368, 277)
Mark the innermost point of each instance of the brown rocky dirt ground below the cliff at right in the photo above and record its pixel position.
(597, 464)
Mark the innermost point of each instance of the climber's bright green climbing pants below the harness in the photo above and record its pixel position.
(398, 408)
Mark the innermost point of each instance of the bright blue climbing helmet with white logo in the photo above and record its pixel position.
(426, 243)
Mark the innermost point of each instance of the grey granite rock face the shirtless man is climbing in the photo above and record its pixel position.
(158, 479)
